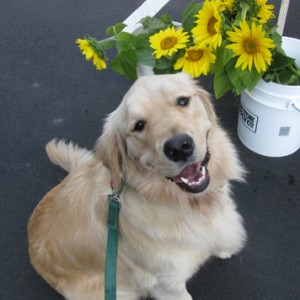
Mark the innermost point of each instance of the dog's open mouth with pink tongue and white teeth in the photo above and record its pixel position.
(194, 178)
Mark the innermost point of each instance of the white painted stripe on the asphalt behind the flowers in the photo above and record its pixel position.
(148, 8)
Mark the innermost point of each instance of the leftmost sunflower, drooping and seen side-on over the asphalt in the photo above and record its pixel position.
(89, 48)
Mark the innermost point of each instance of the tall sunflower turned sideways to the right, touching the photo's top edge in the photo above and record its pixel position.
(208, 30)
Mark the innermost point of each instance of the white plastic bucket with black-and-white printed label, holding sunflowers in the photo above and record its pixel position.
(269, 116)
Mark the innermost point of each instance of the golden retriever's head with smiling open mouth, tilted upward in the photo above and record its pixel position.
(162, 128)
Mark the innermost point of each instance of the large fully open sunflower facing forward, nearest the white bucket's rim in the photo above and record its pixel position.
(251, 46)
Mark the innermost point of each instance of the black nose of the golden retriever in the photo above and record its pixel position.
(179, 147)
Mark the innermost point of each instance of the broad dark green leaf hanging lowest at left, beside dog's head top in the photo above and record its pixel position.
(125, 64)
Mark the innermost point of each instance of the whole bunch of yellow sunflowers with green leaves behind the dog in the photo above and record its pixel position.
(233, 40)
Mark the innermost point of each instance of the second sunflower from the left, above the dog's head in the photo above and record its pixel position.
(167, 42)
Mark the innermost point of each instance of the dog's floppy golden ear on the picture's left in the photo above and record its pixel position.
(109, 149)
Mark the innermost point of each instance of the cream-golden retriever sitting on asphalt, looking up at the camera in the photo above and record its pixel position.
(165, 141)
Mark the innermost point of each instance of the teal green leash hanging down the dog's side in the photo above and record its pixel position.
(114, 206)
